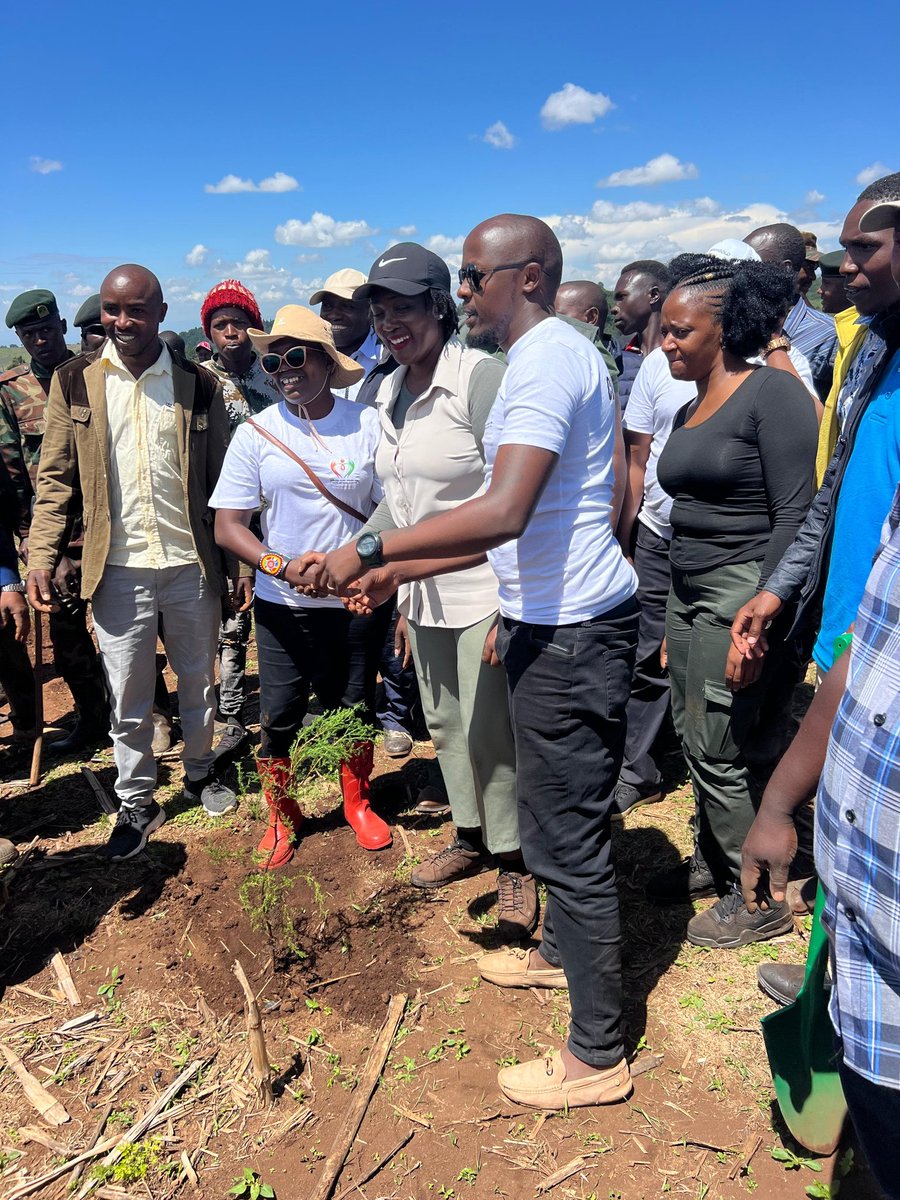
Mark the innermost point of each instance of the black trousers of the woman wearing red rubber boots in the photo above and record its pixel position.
(325, 651)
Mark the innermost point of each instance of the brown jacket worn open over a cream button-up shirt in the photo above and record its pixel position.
(74, 478)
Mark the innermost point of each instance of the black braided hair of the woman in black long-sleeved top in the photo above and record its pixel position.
(748, 299)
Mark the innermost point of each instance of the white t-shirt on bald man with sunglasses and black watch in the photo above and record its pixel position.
(556, 394)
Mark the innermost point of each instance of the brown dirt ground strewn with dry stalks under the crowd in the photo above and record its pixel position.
(327, 943)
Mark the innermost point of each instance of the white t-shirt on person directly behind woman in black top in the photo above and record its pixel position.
(656, 399)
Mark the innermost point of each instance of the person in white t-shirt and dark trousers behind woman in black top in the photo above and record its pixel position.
(646, 533)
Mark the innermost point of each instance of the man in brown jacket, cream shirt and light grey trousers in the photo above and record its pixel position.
(135, 441)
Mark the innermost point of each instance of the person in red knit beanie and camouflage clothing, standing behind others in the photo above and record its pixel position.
(229, 311)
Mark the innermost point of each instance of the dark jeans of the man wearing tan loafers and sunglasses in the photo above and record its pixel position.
(569, 687)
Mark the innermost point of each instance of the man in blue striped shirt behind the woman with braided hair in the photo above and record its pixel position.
(812, 332)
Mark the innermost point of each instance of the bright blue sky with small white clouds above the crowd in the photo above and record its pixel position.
(638, 131)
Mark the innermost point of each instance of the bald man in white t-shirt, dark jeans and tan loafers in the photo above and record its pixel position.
(567, 637)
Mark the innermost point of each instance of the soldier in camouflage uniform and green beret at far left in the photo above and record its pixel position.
(23, 399)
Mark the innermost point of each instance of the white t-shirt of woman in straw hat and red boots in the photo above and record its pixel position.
(296, 517)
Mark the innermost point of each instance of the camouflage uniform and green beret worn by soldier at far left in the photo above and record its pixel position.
(23, 403)
